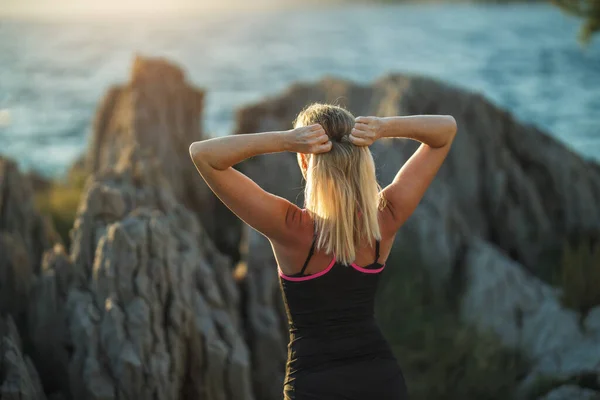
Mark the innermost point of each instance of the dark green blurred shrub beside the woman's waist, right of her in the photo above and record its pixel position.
(441, 358)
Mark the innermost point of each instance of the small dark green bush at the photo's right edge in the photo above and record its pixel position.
(579, 272)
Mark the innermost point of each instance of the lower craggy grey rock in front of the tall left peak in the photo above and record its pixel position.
(144, 307)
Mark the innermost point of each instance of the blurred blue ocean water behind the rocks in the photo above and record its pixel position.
(525, 58)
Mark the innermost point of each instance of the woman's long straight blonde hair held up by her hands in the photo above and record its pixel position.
(341, 194)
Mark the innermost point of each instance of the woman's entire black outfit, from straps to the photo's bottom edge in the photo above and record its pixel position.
(331, 316)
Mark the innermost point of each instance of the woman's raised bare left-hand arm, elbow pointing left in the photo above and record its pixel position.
(263, 211)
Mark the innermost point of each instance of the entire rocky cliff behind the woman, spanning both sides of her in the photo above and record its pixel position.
(149, 301)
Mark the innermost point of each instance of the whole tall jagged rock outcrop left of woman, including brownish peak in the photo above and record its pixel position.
(143, 305)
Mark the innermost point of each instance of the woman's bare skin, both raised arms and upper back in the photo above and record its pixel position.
(289, 228)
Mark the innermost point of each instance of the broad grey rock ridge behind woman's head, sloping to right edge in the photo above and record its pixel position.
(503, 201)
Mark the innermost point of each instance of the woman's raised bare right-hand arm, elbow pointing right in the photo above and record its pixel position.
(435, 132)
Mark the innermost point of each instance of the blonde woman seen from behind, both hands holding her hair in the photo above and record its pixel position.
(331, 253)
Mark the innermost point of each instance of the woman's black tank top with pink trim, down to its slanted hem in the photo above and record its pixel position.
(331, 316)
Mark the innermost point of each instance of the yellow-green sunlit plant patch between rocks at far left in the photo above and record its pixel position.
(60, 201)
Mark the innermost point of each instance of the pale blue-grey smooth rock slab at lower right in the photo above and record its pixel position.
(525, 313)
